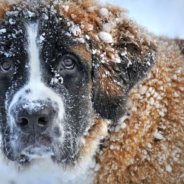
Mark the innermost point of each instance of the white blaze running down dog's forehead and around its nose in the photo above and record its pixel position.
(39, 91)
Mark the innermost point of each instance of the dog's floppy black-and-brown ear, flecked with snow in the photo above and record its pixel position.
(122, 66)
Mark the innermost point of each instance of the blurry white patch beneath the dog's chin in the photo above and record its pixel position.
(43, 172)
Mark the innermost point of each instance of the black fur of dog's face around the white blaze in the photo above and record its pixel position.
(73, 86)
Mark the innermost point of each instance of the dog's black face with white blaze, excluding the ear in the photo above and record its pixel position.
(46, 87)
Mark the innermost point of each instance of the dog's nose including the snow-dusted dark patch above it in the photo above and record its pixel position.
(34, 116)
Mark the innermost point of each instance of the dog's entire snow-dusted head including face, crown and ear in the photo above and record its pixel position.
(65, 69)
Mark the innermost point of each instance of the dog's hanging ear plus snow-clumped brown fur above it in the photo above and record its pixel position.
(122, 51)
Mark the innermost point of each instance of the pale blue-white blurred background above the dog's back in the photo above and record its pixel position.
(161, 17)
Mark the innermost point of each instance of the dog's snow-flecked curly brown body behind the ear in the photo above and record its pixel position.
(147, 144)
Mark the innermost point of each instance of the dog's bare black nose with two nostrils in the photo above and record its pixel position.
(36, 122)
